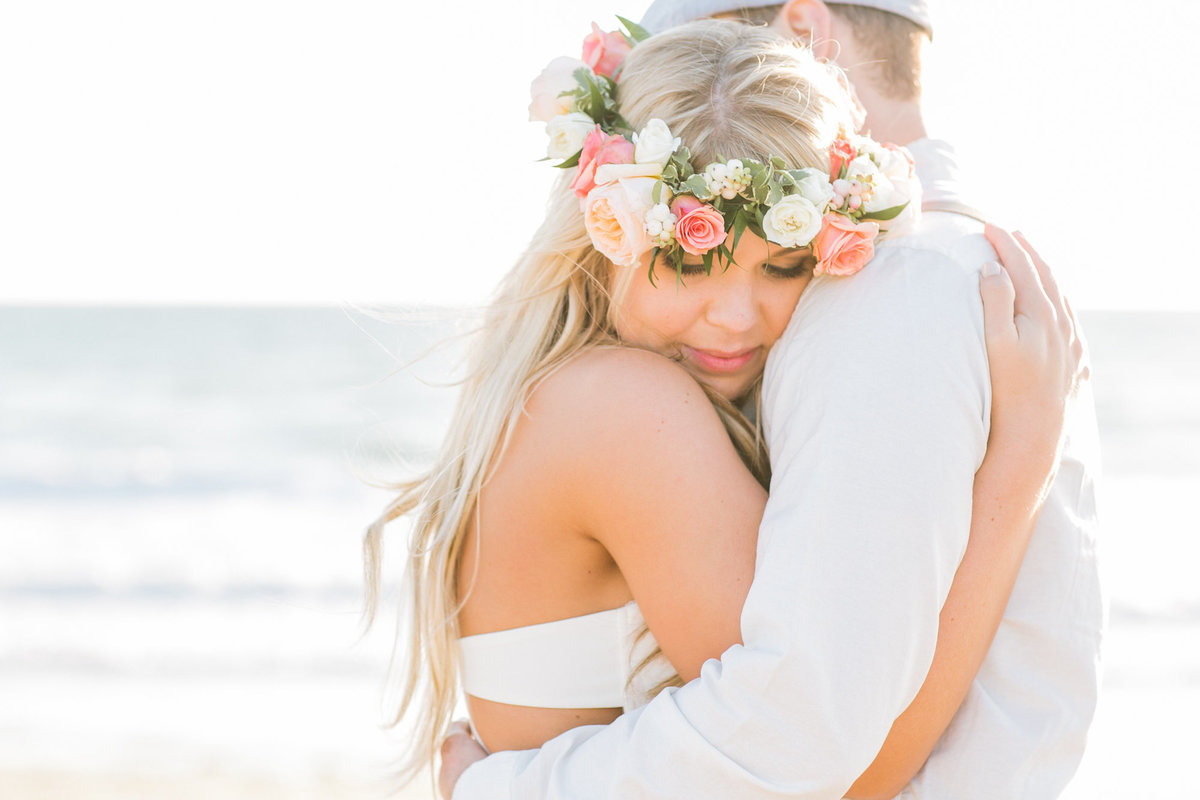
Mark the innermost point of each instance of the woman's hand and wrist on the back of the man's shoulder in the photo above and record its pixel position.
(1036, 354)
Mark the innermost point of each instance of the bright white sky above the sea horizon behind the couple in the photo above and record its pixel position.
(247, 152)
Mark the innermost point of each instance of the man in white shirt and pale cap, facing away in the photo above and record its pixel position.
(855, 561)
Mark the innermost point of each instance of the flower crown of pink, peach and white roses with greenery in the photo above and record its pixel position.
(639, 191)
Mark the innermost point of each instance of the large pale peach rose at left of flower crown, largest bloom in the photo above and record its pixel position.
(615, 216)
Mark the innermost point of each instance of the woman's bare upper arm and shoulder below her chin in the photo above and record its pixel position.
(664, 491)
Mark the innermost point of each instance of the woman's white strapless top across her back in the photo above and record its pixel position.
(583, 663)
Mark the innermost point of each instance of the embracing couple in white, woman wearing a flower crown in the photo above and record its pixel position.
(767, 479)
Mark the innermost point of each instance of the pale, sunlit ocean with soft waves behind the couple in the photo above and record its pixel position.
(183, 494)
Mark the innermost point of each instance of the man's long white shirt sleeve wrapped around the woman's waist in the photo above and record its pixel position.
(875, 405)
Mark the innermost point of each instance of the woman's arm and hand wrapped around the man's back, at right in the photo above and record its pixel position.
(1036, 362)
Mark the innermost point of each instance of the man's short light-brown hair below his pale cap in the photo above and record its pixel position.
(892, 41)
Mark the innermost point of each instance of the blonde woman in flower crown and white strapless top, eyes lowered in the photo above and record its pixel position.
(568, 486)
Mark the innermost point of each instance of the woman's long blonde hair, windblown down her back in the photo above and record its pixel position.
(728, 91)
